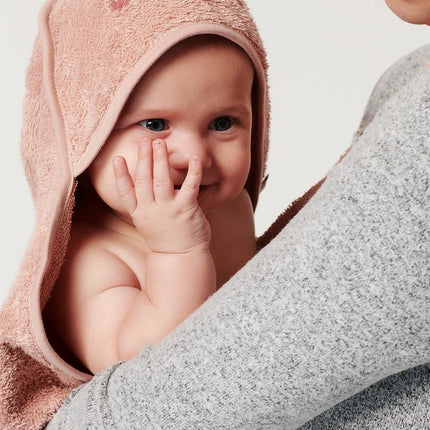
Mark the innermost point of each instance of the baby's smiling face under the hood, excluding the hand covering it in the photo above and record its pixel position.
(198, 99)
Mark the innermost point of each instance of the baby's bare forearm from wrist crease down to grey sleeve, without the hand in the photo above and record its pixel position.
(175, 286)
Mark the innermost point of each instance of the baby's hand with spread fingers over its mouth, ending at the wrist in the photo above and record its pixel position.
(170, 221)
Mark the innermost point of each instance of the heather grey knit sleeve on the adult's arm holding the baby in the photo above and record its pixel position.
(335, 303)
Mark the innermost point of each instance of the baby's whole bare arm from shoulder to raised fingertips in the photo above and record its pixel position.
(100, 310)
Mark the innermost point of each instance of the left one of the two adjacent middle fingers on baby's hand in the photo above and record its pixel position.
(143, 175)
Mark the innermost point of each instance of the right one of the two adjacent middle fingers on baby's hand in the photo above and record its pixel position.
(162, 182)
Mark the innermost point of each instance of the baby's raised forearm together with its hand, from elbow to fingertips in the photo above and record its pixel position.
(179, 272)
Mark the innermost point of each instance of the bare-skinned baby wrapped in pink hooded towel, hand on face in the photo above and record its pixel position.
(163, 218)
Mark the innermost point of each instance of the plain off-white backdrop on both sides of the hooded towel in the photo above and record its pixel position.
(325, 57)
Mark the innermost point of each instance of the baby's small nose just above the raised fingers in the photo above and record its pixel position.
(181, 152)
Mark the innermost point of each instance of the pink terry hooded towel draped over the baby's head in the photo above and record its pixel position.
(87, 58)
